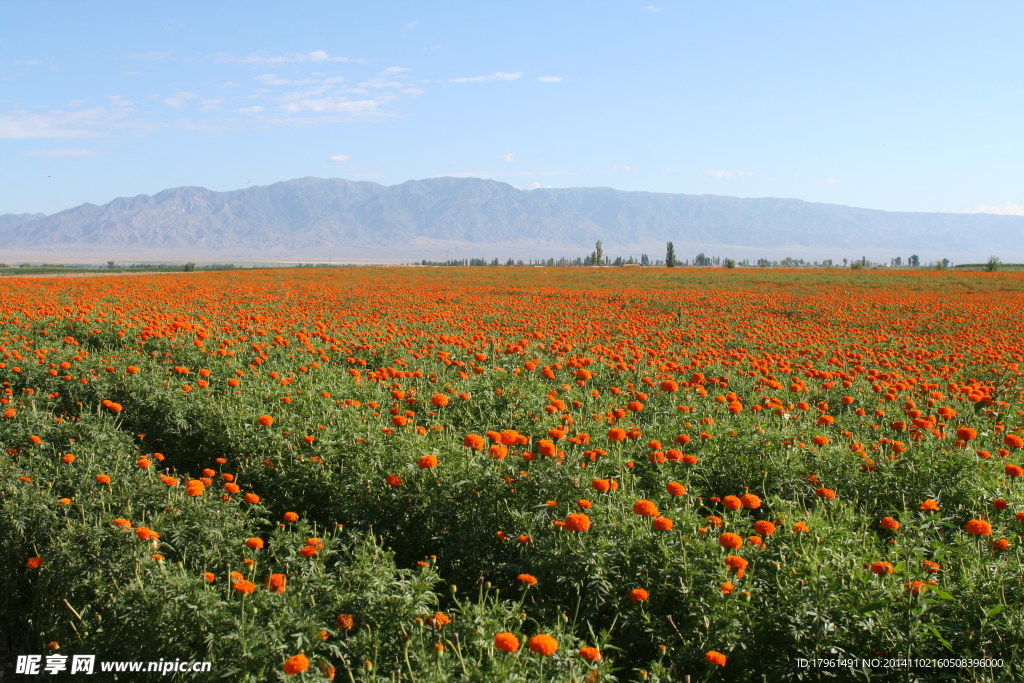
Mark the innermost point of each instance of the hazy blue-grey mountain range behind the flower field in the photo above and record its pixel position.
(315, 220)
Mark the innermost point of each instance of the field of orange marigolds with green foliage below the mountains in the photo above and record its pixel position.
(518, 475)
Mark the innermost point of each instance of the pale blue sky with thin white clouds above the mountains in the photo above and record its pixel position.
(899, 106)
